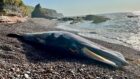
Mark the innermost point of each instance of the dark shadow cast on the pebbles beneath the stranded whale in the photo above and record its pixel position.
(36, 55)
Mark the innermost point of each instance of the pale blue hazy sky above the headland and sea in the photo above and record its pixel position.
(83, 7)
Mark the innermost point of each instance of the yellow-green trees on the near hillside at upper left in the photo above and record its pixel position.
(14, 7)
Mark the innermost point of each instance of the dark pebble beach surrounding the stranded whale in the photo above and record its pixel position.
(21, 61)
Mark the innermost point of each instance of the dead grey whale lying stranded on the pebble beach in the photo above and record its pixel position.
(66, 43)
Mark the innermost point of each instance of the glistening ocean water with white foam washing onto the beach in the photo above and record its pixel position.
(120, 29)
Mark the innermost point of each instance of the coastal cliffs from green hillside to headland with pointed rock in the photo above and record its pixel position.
(18, 8)
